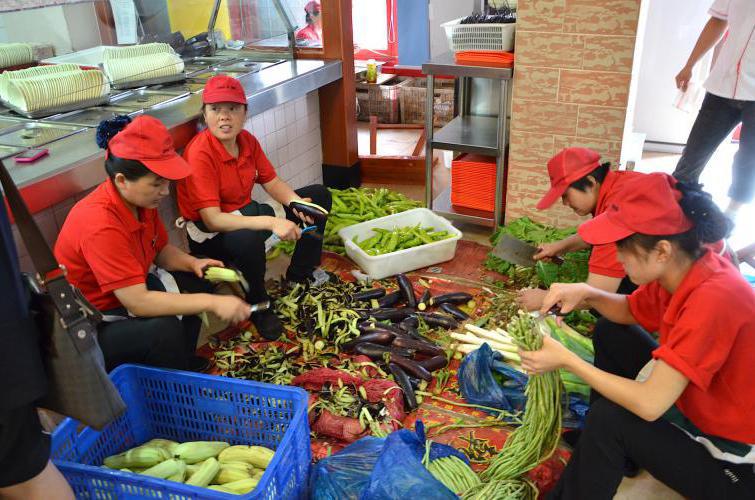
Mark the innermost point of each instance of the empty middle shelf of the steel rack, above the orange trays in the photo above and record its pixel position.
(469, 134)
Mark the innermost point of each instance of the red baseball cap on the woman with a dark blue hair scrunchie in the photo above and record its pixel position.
(147, 140)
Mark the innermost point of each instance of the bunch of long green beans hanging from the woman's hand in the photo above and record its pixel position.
(537, 437)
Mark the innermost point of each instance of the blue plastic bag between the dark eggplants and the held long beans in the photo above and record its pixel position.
(480, 386)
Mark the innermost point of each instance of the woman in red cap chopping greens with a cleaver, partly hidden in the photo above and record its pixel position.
(588, 187)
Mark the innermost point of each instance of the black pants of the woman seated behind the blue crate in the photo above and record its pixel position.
(162, 341)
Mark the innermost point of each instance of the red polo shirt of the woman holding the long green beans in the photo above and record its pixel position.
(707, 332)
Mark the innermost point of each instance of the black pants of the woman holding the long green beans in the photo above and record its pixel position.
(612, 435)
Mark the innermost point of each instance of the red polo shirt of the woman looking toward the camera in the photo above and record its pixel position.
(218, 179)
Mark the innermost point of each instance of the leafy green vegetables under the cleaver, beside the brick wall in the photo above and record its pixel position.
(573, 270)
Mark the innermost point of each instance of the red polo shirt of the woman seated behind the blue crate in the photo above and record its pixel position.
(105, 248)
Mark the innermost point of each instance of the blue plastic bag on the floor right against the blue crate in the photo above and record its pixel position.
(345, 474)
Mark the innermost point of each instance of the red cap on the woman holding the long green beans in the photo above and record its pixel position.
(647, 204)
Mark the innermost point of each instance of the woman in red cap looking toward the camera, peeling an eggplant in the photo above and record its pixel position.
(216, 199)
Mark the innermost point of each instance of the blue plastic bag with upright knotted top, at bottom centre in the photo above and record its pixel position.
(399, 472)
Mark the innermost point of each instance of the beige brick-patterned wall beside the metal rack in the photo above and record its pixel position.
(571, 87)
